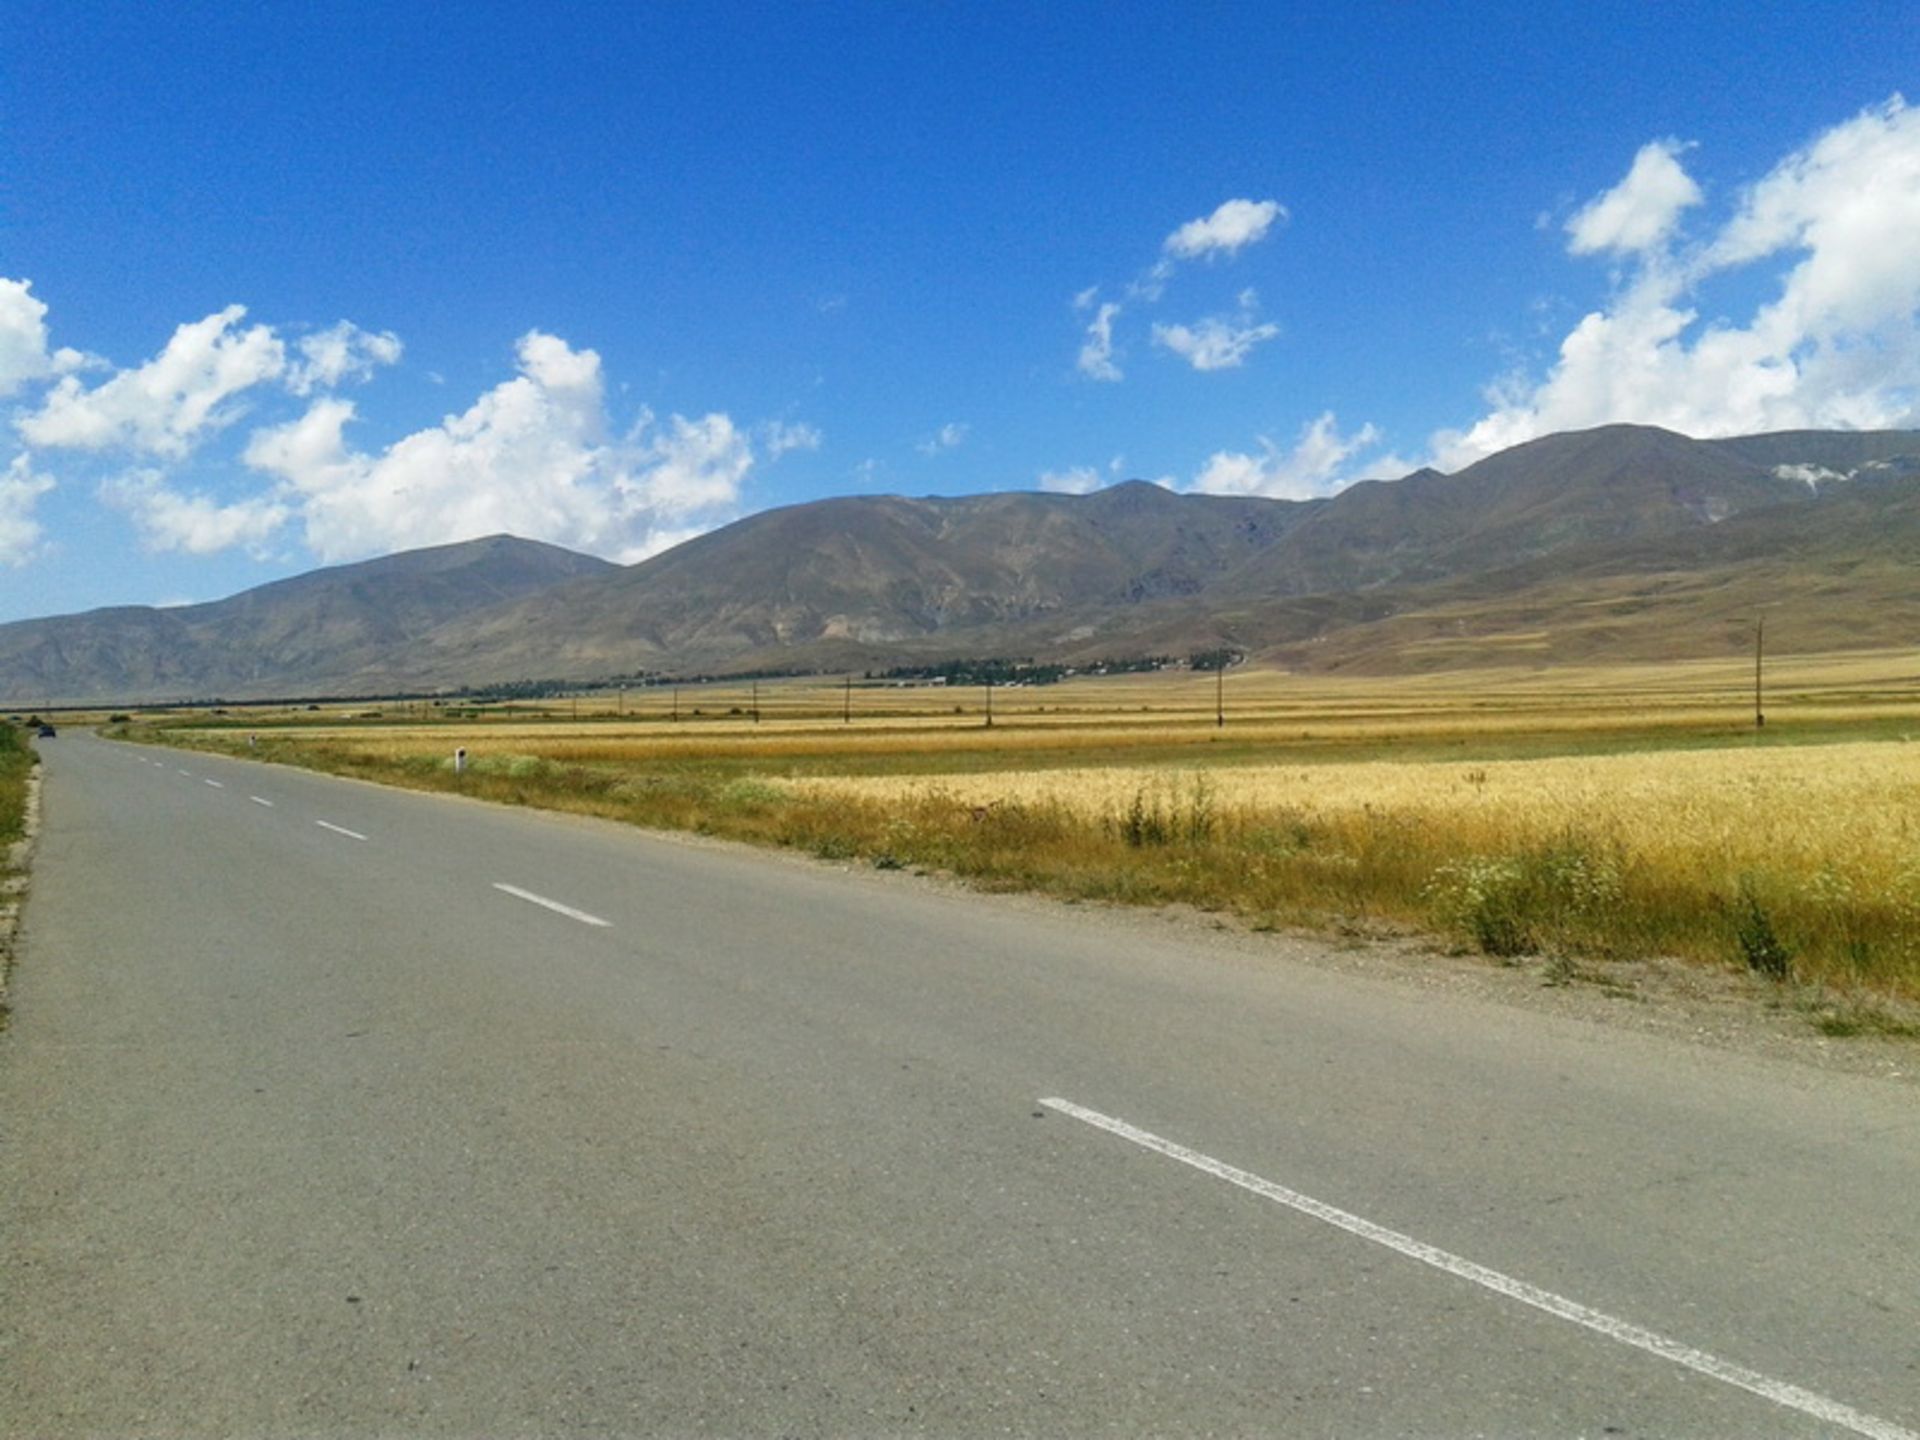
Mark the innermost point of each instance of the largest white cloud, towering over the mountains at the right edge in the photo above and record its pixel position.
(1833, 345)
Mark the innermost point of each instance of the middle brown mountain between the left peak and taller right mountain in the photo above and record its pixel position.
(857, 581)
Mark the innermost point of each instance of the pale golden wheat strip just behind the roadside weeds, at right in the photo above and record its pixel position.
(1827, 815)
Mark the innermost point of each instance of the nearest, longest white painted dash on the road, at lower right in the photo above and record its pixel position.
(1616, 1330)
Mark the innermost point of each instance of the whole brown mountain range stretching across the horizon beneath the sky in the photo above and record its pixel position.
(1623, 542)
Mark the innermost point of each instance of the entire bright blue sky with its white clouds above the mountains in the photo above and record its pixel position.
(297, 285)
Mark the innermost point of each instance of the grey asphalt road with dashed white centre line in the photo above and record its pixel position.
(312, 1126)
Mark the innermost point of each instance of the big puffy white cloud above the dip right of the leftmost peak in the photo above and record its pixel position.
(531, 458)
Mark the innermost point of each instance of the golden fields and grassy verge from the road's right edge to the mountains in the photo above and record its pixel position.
(1579, 817)
